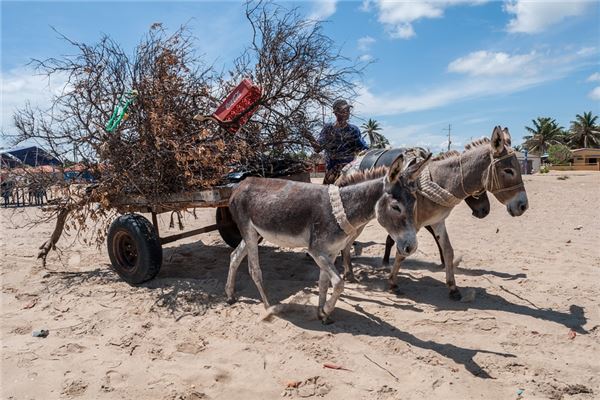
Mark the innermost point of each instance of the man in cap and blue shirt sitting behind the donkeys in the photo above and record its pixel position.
(340, 140)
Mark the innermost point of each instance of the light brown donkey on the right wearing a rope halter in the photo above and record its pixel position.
(489, 165)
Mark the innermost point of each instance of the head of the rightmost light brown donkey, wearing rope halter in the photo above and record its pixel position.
(503, 176)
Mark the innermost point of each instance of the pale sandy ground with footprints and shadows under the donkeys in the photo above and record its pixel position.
(532, 330)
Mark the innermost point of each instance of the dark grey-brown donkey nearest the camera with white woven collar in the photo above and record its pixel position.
(322, 219)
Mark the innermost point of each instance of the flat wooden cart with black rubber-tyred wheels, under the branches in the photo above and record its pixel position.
(134, 243)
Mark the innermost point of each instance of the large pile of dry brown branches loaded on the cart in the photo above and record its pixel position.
(159, 148)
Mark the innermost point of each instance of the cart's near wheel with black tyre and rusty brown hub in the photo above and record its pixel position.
(134, 248)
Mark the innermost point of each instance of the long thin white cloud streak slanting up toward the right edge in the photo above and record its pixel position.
(472, 86)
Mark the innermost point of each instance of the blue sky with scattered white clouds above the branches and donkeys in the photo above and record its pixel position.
(471, 64)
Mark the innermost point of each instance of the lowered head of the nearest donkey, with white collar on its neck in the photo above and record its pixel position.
(396, 208)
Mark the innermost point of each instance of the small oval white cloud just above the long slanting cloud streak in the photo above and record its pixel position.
(485, 63)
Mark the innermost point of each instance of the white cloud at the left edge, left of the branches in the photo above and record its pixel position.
(22, 85)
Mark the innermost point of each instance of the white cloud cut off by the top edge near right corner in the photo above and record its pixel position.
(536, 16)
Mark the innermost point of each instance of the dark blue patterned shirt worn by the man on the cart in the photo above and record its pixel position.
(341, 144)
